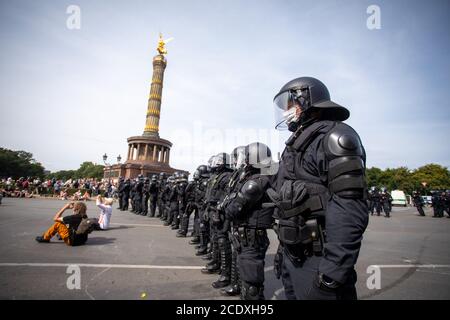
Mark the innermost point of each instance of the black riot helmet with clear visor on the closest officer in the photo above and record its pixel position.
(308, 94)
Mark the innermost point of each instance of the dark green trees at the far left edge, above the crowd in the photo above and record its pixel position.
(18, 164)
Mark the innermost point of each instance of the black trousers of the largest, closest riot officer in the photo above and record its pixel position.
(300, 282)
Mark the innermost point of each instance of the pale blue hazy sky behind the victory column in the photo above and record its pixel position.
(69, 96)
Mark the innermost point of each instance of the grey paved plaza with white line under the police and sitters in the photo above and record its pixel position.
(139, 258)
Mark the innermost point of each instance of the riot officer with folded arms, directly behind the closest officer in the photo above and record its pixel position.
(251, 219)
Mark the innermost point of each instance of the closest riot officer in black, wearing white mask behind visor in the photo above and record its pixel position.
(320, 194)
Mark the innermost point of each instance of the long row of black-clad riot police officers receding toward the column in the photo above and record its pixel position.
(315, 198)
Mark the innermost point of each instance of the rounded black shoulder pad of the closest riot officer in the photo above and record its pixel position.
(342, 140)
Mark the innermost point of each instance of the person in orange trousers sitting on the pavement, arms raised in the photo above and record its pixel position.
(67, 227)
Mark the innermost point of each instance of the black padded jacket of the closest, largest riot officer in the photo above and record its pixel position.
(328, 157)
